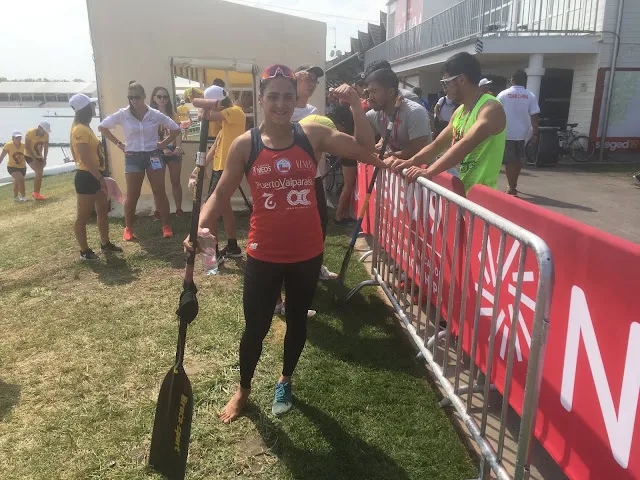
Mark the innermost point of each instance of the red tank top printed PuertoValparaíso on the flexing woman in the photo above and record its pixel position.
(285, 225)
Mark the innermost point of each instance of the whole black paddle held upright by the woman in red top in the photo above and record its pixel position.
(172, 425)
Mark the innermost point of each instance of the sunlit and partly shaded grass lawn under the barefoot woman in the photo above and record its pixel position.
(84, 348)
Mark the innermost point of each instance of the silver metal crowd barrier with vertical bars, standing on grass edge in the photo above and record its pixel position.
(400, 256)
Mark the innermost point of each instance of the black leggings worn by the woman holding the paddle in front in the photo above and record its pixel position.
(262, 284)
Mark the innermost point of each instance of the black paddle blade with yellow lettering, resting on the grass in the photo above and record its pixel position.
(172, 426)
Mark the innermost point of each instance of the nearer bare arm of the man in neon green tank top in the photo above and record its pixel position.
(491, 120)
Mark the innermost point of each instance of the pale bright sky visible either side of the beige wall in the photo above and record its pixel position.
(56, 43)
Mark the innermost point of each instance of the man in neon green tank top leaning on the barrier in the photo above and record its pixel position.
(476, 132)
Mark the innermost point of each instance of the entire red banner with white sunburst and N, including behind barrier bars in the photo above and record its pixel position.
(588, 408)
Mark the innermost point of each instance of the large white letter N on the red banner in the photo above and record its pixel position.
(619, 427)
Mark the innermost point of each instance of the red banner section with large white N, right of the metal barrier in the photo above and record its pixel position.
(587, 418)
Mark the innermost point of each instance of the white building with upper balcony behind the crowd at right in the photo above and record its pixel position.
(565, 46)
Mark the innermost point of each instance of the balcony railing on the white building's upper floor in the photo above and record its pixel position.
(488, 18)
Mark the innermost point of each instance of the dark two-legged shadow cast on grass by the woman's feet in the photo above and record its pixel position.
(349, 457)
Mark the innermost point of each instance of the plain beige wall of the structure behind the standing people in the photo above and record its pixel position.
(134, 40)
